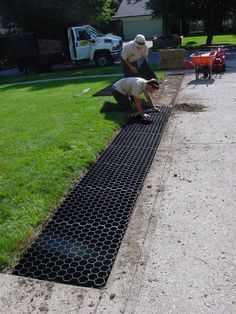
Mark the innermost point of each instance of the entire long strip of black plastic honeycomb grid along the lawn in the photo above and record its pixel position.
(79, 244)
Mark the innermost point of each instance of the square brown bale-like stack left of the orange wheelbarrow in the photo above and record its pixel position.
(172, 59)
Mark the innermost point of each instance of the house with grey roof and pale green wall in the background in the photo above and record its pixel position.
(137, 19)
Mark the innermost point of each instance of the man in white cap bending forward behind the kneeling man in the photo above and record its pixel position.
(131, 53)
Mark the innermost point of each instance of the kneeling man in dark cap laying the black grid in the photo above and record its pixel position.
(127, 87)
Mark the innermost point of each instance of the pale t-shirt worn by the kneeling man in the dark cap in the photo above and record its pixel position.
(132, 86)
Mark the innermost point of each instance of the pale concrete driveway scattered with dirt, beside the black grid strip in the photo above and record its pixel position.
(178, 253)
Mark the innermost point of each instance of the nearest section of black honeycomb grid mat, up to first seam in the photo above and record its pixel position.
(80, 243)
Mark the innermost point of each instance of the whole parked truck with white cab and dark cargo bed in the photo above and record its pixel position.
(32, 52)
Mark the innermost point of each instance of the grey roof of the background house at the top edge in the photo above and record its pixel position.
(132, 8)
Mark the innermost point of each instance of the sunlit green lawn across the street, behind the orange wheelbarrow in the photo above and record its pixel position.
(195, 41)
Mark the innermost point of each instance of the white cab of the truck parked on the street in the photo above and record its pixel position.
(86, 44)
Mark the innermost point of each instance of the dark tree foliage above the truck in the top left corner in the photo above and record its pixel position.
(42, 15)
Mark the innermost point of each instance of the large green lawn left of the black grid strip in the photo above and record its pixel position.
(50, 133)
